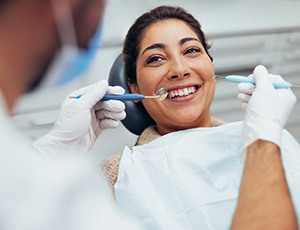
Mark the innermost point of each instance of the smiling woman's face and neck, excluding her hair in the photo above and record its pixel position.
(172, 57)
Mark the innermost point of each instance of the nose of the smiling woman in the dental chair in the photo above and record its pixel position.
(179, 69)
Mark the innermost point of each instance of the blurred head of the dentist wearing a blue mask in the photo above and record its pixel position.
(46, 43)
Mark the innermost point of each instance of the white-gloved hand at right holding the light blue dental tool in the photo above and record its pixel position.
(267, 109)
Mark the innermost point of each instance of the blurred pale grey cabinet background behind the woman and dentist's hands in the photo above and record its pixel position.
(243, 34)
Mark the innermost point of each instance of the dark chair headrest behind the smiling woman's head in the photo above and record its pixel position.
(137, 118)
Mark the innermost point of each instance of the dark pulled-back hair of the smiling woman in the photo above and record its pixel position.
(135, 33)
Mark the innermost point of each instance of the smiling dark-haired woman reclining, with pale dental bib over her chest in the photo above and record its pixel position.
(184, 172)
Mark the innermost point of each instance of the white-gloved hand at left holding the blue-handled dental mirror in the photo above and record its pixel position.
(81, 120)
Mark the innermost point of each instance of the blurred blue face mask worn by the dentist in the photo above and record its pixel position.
(71, 61)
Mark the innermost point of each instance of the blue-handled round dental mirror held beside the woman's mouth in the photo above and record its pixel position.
(160, 95)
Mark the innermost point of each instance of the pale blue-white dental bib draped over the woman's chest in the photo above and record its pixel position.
(190, 179)
